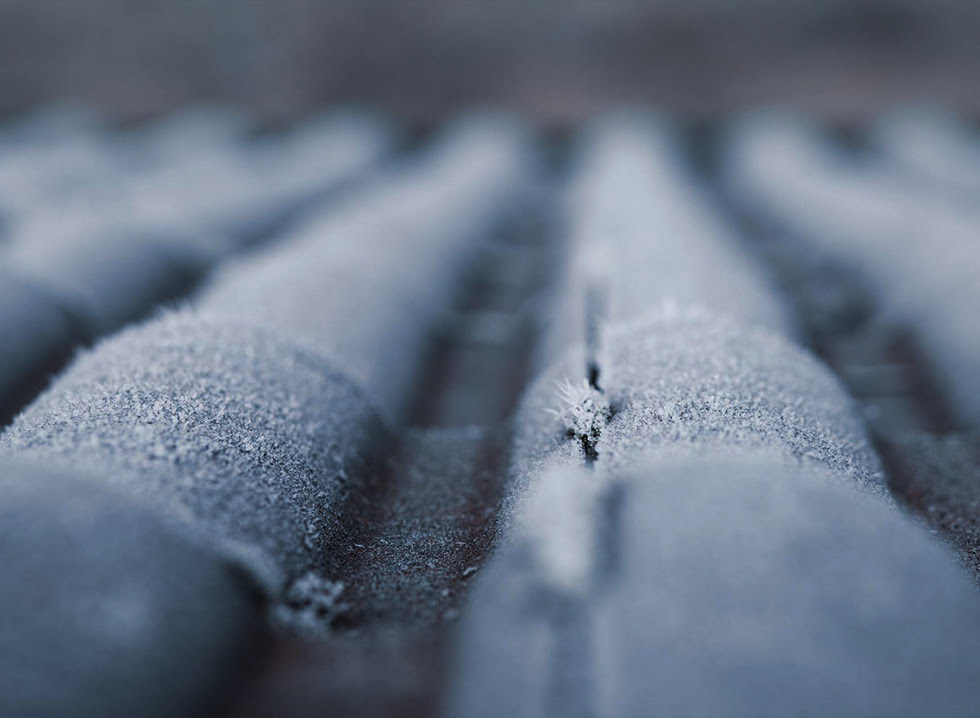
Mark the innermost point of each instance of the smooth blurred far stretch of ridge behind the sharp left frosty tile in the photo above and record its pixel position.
(366, 280)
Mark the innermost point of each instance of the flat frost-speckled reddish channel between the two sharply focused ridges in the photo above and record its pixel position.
(427, 534)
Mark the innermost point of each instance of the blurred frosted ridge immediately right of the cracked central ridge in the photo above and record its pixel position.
(918, 254)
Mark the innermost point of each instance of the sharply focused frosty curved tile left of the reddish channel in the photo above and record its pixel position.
(254, 438)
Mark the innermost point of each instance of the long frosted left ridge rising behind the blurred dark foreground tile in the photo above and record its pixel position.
(260, 408)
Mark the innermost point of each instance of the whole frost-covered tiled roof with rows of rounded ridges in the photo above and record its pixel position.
(684, 516)
